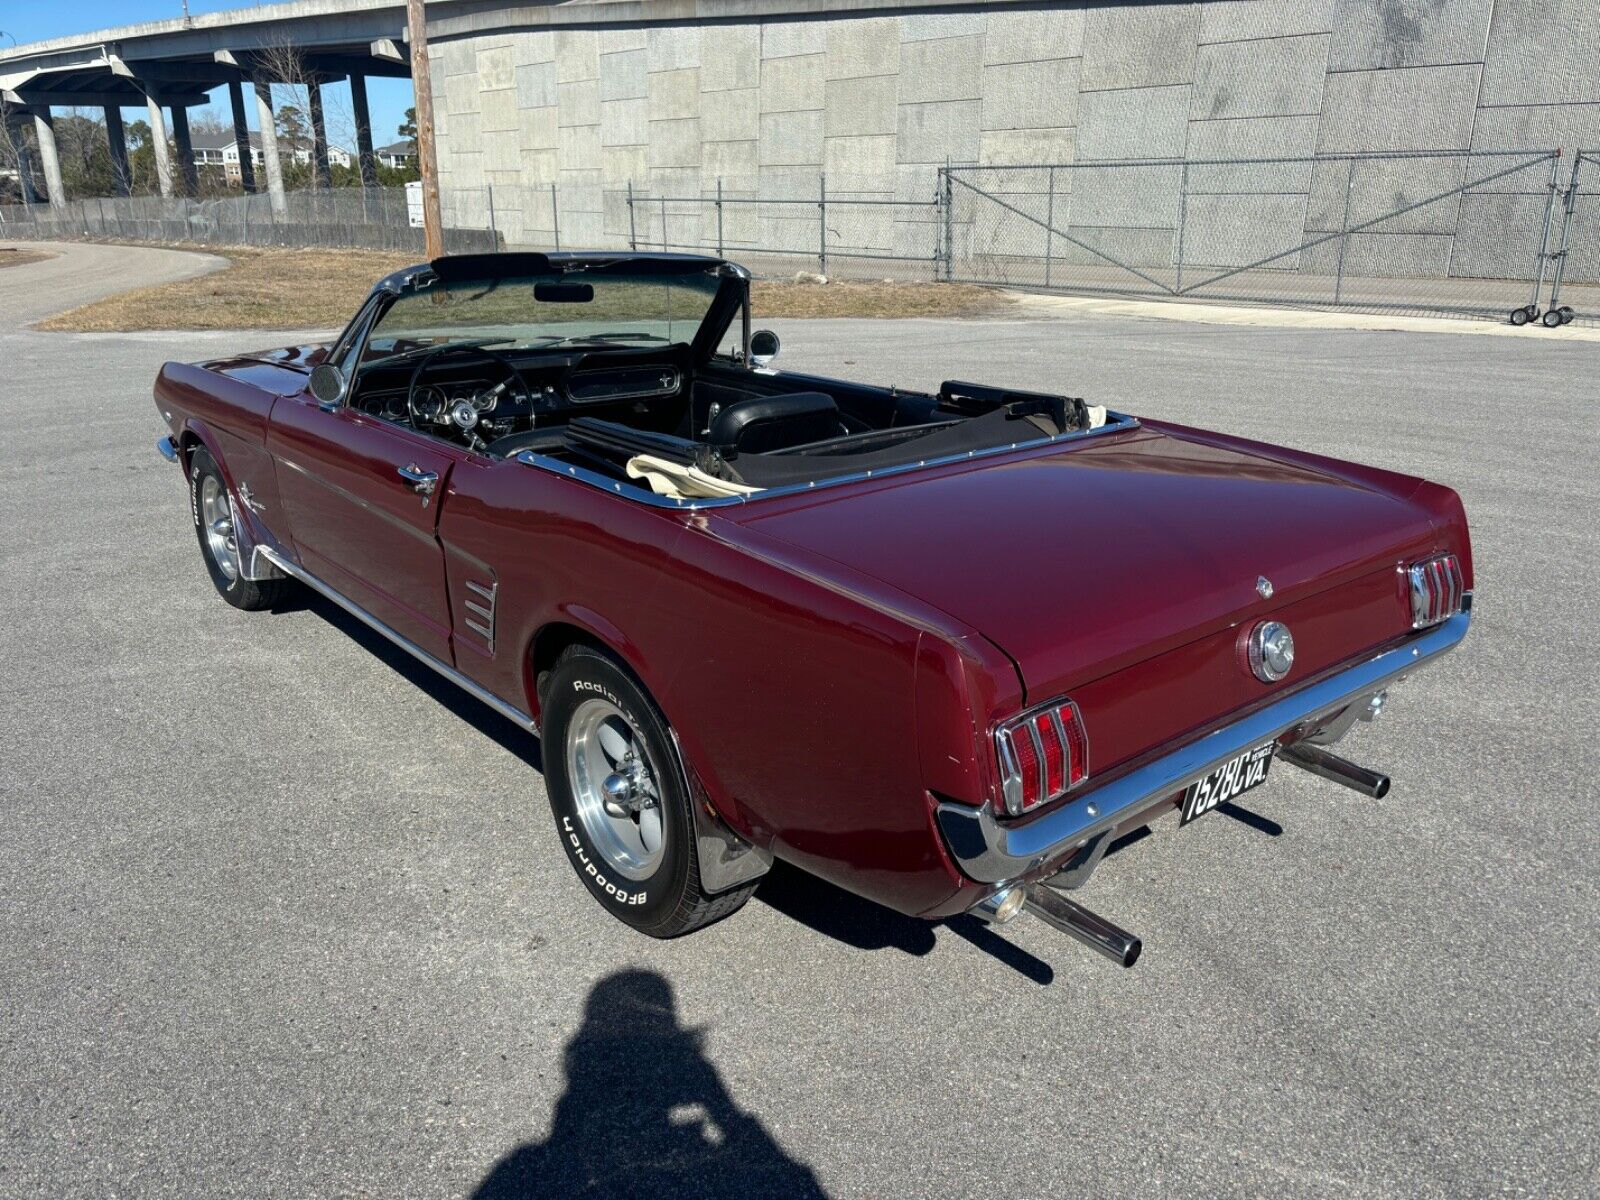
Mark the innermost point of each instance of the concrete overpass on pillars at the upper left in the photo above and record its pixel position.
(172, 66)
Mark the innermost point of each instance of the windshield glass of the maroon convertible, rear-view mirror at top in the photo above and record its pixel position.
(577, 308)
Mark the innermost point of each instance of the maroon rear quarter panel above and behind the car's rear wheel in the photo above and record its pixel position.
(793, 692)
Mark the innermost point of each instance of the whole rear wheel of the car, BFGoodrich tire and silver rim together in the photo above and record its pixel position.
(620, 801)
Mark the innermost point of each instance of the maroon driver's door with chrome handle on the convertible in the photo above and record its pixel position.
(362, 500)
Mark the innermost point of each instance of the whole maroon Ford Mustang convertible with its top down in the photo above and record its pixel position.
(940, 649)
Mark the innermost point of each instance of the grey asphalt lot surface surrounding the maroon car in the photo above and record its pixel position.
(284, 916)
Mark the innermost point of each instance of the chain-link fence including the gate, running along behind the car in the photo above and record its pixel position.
(1476, 234)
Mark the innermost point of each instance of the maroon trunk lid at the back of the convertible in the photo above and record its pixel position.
(1087, 558)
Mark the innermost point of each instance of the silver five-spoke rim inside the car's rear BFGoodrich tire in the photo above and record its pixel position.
(615, 790)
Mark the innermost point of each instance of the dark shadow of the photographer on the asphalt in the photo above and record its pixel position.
(646, 1114)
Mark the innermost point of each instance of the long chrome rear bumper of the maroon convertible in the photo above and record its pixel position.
(991, 852)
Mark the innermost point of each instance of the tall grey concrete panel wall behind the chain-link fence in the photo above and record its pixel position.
(769, 95)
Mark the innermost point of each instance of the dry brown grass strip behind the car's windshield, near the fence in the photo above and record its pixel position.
(322, 289)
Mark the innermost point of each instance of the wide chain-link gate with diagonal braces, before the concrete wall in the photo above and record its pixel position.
(1463, 233)
